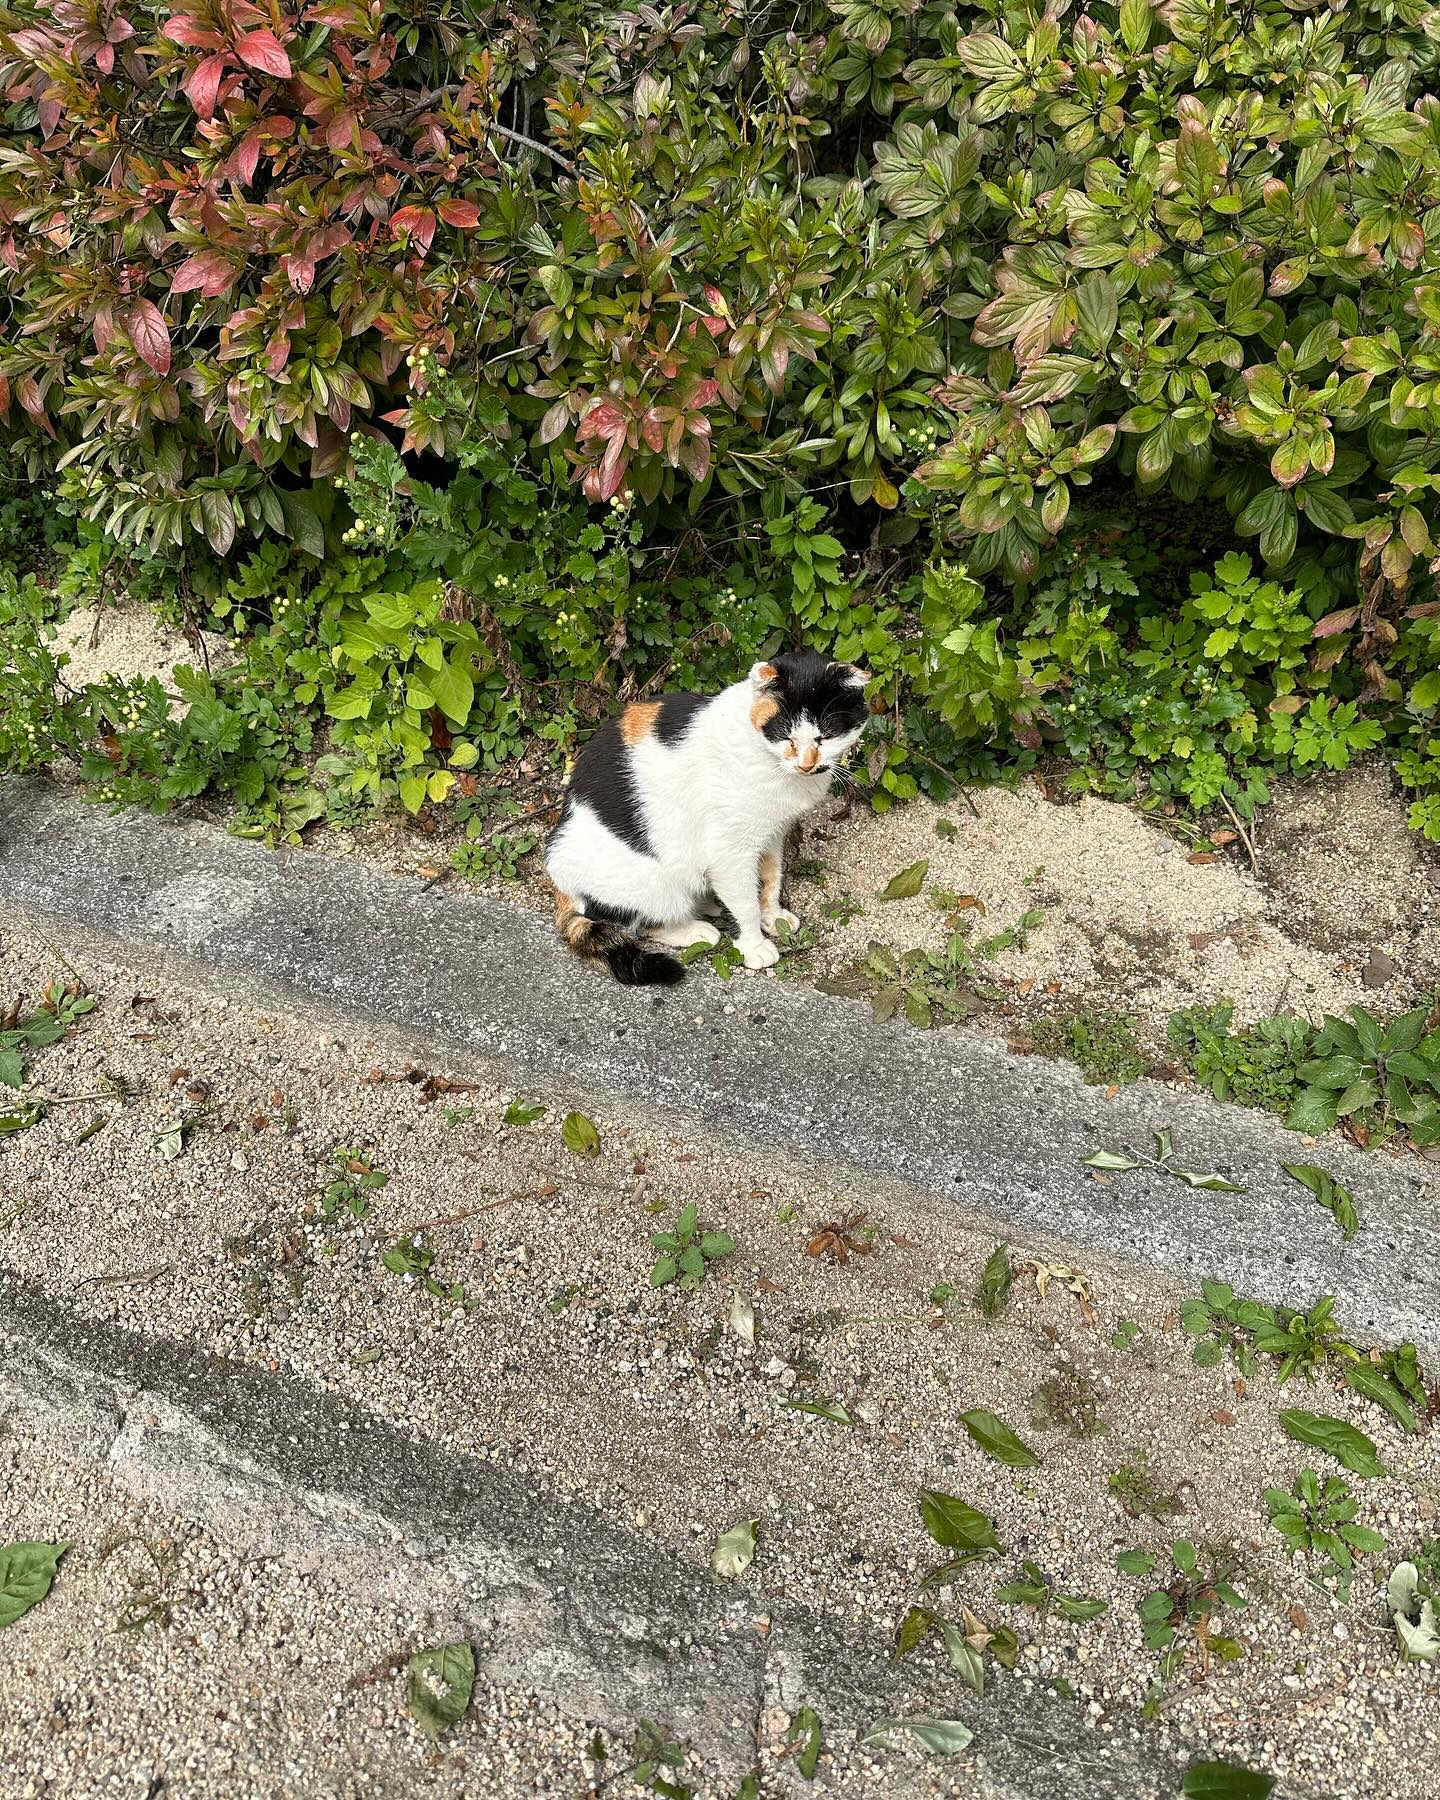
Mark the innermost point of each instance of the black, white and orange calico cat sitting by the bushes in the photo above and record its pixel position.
(688, 800)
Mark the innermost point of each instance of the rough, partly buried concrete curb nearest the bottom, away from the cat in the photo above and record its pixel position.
(550, 1594)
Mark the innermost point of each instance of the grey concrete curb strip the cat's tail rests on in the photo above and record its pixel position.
(951, 1113)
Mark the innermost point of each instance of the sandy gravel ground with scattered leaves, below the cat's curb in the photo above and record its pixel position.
(566, 1363)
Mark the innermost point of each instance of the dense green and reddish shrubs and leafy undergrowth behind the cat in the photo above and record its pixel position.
(1074, 368)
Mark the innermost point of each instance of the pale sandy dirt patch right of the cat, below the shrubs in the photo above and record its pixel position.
(1131, 921)
